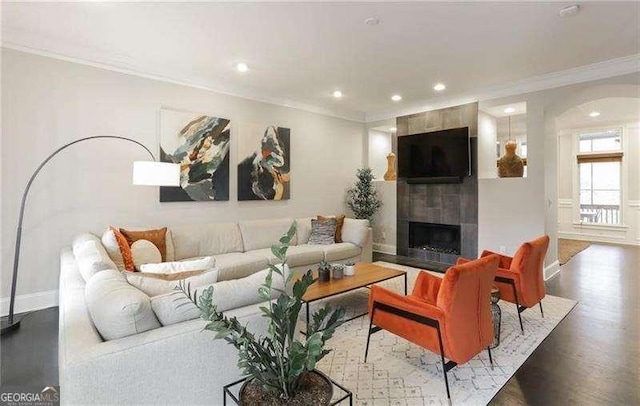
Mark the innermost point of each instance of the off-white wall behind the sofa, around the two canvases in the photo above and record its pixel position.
(47, 103)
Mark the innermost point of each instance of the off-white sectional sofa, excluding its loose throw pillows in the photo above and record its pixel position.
(179, 363)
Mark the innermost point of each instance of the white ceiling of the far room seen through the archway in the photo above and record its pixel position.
(611, 109)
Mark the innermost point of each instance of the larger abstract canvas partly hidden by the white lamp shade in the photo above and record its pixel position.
(200, 144)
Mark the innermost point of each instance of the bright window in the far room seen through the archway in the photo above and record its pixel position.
(599, 168)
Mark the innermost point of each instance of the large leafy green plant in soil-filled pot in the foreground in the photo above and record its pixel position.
(280, 368)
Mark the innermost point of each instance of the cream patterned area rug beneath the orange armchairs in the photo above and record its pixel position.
(398, 372)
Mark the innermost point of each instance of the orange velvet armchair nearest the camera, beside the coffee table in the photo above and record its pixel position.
(449, 316)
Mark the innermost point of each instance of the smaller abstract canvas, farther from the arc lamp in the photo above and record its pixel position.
(264, 172)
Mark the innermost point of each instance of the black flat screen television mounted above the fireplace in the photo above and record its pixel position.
(439, 154)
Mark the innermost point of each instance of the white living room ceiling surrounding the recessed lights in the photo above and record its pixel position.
(299, 53)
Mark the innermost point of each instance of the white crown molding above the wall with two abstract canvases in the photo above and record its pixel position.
(345, 115)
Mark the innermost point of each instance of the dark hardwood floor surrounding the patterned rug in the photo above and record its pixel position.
(592, 357)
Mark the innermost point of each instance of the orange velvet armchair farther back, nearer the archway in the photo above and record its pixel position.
(520, 278)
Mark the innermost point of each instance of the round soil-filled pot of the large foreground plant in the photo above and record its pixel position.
(315, 389)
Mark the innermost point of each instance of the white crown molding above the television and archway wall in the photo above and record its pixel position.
(599, 70)
